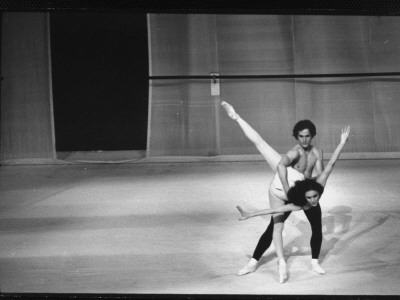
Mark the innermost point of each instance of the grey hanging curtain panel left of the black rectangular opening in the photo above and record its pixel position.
(26, 109)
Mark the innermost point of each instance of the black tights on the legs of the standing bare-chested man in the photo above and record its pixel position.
(314, 216)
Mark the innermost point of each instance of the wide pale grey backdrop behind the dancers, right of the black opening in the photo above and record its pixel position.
(185, 119)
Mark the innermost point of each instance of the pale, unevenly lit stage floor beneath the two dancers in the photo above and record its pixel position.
(172, 228)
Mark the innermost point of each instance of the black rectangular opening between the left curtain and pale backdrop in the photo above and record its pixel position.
(100, 80)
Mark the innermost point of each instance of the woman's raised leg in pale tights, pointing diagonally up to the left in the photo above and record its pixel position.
(271, 156)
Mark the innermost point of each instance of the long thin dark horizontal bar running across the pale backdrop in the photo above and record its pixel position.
(380, 74)
